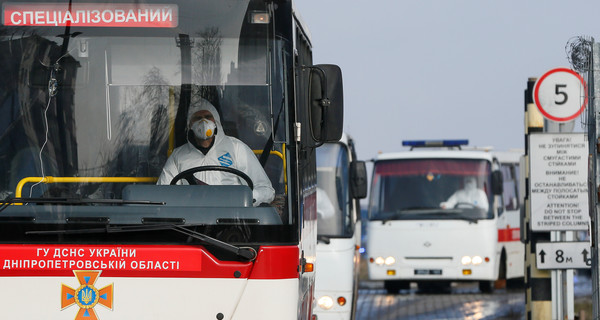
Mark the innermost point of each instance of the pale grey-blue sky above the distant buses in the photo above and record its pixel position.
(442, 69)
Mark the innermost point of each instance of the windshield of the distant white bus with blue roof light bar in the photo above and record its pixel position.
(418, 189)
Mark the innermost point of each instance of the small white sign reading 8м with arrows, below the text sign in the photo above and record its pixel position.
(563, 255)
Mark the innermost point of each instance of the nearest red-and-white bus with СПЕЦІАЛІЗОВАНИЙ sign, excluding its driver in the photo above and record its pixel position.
(94, 98)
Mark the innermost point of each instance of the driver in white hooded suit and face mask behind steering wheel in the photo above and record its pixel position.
(211, 147)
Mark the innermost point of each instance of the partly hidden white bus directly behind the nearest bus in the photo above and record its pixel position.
(341, 182)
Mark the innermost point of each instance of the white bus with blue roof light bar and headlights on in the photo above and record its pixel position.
(420, 229)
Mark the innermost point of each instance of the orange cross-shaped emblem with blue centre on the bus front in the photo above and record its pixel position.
(86, 296)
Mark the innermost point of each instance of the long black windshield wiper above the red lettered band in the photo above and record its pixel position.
(244, 252)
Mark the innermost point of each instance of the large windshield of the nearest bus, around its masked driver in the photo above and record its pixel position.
(101, 89)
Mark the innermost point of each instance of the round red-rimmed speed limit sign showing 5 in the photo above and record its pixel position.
(560, 94)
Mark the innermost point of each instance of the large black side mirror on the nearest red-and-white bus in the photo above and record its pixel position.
(326, 103)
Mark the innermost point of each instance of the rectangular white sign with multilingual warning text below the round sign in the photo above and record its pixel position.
(558, 186)
